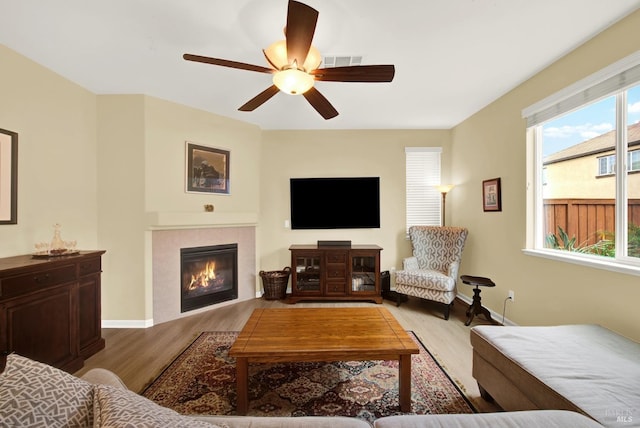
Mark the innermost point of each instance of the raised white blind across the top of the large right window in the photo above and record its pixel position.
(618, 76)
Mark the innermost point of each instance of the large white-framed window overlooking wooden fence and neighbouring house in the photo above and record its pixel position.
(584, 203)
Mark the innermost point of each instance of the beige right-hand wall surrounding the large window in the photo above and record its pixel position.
(547, 292)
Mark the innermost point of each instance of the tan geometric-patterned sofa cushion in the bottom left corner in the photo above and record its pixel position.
(36, 394)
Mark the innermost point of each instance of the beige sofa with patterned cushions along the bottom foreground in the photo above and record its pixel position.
(34, 394)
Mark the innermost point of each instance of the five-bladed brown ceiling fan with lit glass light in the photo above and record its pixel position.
(294, 64)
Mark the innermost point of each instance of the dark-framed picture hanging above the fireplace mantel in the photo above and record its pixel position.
(207, 169)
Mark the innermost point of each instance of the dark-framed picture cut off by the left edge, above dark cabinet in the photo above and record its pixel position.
(8, 177)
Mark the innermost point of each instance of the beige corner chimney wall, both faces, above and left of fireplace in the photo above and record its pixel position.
(142, 170)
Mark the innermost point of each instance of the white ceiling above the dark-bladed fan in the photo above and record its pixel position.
(452, 57)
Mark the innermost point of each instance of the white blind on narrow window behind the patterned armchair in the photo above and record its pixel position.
(423, 173)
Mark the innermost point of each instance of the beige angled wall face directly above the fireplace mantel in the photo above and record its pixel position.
(168, 126)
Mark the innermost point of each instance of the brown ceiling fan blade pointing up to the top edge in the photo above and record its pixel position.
(301, 25)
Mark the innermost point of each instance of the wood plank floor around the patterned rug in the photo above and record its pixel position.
(139, 355)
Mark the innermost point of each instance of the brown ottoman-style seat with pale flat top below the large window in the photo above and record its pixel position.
(583, 368)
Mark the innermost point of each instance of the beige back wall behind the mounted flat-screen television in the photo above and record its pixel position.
(381, 154)
